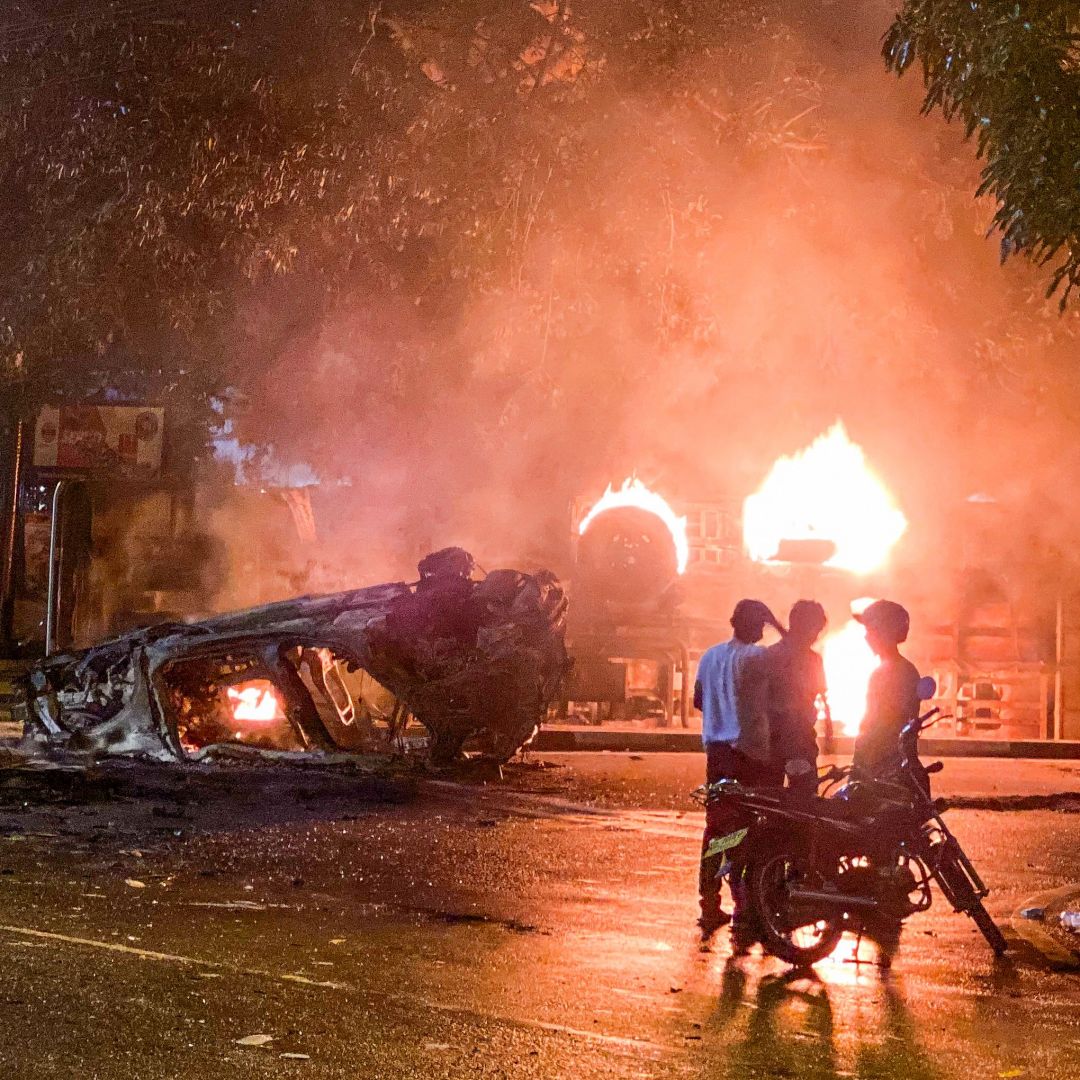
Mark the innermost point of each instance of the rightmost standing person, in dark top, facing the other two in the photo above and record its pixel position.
(893, 696)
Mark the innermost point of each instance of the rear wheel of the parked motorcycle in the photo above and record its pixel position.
(799, 939)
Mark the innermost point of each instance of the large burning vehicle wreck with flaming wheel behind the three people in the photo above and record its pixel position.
(655, 583)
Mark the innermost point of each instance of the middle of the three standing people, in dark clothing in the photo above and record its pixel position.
(796, 690)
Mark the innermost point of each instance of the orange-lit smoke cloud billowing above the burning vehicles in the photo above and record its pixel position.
(696, 268)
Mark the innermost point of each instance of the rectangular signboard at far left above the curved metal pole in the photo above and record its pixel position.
(113, 439)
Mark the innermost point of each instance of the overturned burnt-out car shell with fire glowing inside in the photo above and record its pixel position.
(475, 663)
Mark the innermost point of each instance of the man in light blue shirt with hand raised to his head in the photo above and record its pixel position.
(731, 692)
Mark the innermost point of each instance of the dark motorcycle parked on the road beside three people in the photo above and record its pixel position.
(858, 858)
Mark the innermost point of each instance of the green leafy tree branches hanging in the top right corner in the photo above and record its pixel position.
(1009, 73)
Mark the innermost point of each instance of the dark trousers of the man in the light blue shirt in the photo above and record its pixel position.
(723, 762)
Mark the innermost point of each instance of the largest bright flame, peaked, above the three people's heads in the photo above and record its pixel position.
(826, 493)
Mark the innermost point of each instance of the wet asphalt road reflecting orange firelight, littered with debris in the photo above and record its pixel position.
(539, 927)
